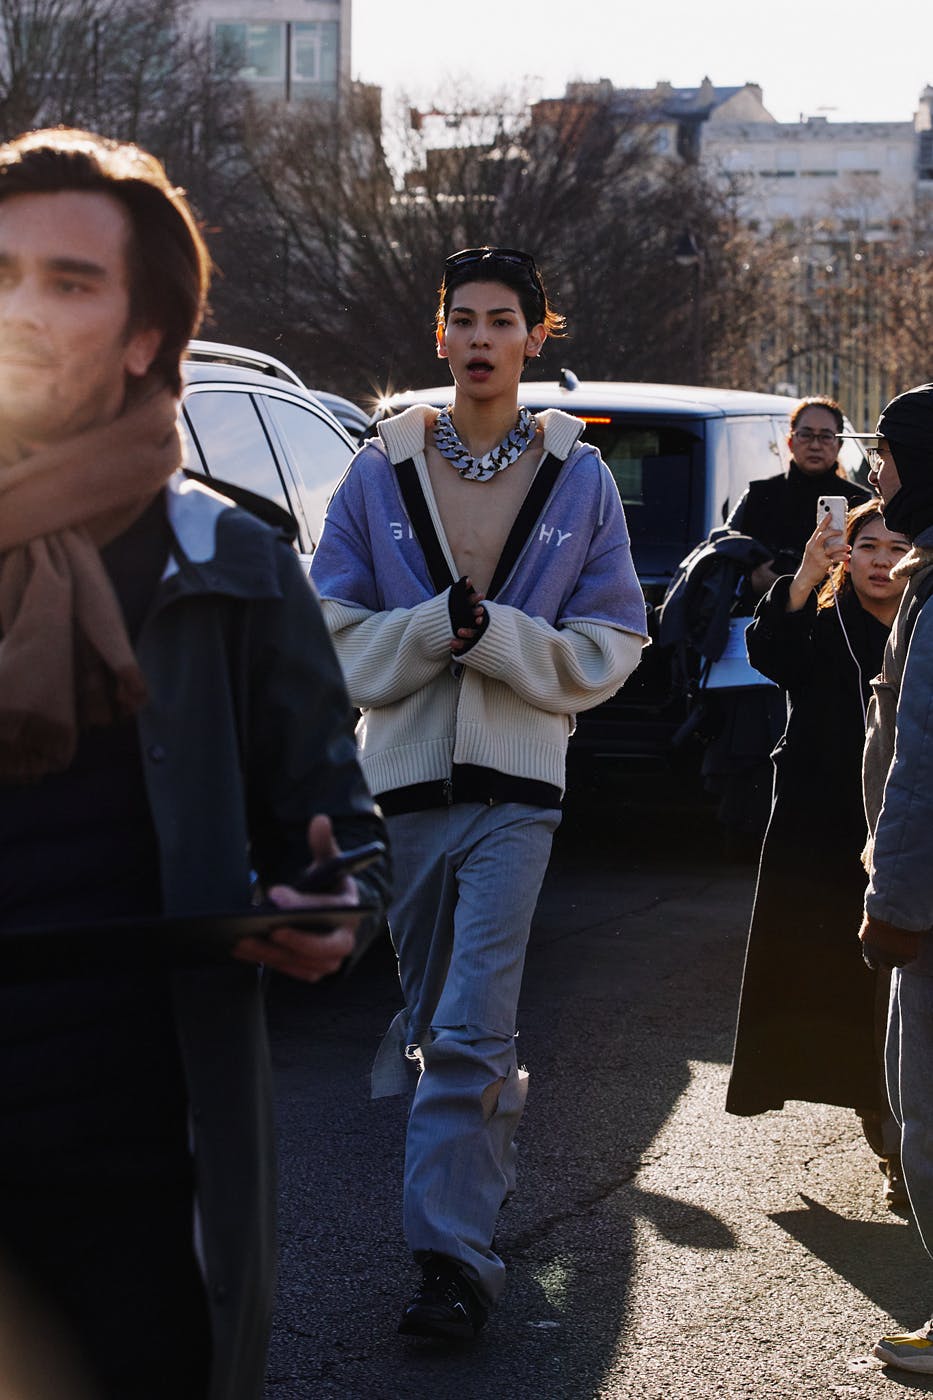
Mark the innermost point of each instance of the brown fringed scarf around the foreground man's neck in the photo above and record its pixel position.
(67, 661)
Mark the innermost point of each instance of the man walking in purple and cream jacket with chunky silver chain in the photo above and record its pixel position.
(477, 580)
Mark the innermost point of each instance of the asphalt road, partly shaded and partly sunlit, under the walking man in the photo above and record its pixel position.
(658, 1247)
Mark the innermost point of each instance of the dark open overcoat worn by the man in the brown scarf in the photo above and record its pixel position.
(246, 736)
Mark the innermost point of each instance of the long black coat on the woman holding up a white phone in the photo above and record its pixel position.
(806, 1021)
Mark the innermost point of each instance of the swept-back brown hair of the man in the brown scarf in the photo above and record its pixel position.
(169, 265)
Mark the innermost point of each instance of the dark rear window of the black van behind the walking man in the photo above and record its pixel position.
(656, 467)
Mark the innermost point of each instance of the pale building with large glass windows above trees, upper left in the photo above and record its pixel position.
(286, 50)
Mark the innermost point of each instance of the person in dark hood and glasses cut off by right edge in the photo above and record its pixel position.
(897, 930)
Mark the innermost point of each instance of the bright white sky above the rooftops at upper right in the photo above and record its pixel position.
(861, 61)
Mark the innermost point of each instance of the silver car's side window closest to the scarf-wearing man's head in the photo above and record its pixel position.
(233, 442)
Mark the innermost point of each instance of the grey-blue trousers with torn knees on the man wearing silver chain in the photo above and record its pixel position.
(467, 881)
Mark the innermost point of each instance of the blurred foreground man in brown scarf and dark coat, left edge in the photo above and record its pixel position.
(172, 719)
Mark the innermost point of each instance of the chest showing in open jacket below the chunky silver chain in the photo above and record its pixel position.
(478, 516)
